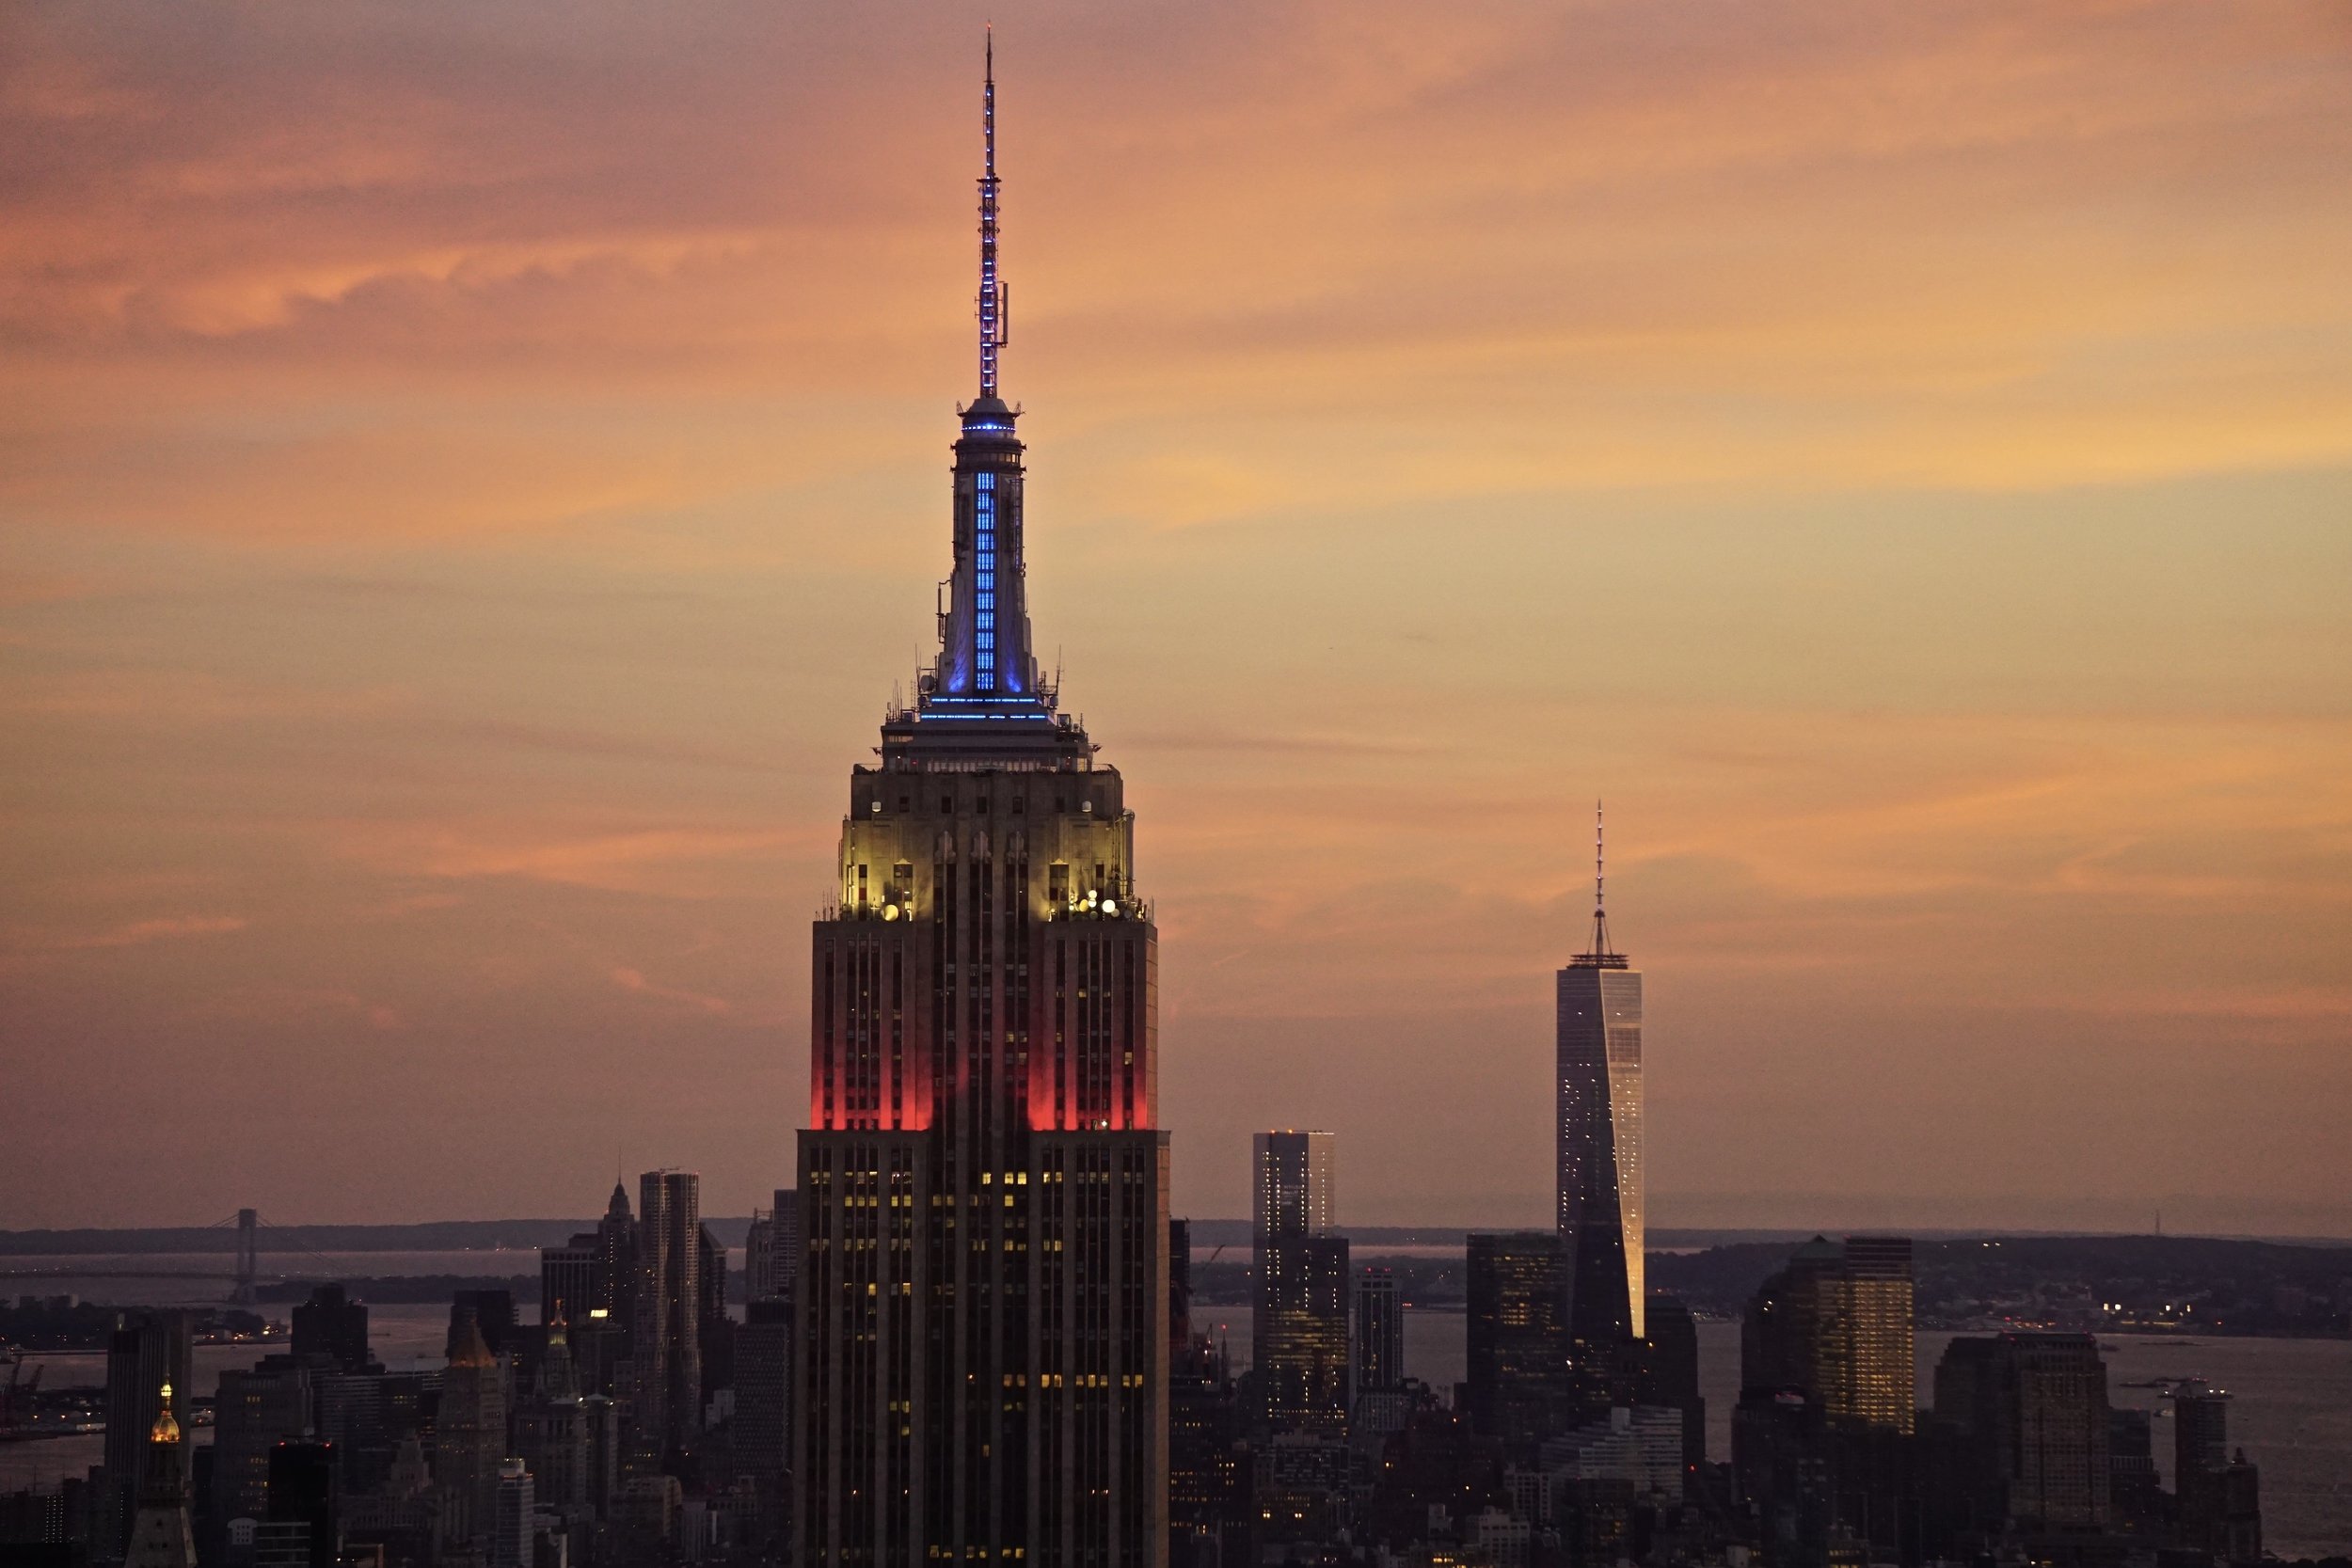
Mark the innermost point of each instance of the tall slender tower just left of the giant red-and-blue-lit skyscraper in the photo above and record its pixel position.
(667, 1336)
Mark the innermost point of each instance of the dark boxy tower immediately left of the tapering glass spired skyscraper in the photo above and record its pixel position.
(1521, 1348)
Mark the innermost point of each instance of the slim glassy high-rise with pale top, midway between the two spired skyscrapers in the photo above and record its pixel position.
(1299, 1315)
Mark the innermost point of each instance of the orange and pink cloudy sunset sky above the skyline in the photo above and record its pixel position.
(474, 474)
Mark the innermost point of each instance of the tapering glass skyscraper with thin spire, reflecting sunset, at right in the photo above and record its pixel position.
(1601, 1141)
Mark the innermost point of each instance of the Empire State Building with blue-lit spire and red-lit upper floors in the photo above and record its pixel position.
(984, 1186)
